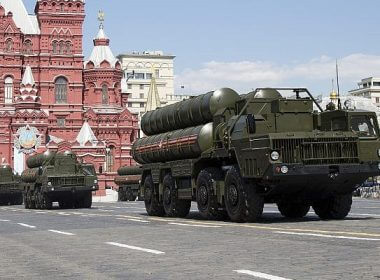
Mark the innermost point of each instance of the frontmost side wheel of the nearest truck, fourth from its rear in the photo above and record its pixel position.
(243, 204)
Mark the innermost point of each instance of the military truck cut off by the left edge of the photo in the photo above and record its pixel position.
(10, 194)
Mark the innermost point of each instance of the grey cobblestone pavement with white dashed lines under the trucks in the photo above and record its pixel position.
(119, 241)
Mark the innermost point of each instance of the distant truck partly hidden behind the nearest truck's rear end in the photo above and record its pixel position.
(128, 180)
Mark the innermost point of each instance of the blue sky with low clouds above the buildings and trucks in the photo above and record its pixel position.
(247, 43)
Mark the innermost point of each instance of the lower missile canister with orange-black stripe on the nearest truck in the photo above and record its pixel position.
(179, 144)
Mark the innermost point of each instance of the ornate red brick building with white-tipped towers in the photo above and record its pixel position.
(51, 98)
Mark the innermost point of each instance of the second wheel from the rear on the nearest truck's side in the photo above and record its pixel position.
(173, 206)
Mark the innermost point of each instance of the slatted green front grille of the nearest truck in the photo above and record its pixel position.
(317, 151)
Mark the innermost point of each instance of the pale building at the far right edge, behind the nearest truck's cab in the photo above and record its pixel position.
(368, 88)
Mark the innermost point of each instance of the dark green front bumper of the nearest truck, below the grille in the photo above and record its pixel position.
(315, 180)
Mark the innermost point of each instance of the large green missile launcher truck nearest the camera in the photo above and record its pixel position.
(231, 154)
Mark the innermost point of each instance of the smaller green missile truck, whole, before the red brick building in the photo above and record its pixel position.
(58, 177)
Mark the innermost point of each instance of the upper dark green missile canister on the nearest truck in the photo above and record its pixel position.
(188, 113)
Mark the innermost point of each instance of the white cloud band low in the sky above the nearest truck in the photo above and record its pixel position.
(243, 76)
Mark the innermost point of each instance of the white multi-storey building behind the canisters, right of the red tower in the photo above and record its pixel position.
(144, 65)
